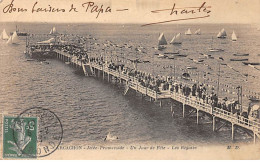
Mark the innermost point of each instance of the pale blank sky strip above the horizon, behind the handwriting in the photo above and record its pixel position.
(138, 11)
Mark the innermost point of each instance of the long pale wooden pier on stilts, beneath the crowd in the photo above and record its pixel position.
(219, 116)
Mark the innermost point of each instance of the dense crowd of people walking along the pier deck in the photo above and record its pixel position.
(160, 84)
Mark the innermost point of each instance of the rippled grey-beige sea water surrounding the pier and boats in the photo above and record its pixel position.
(90, 108)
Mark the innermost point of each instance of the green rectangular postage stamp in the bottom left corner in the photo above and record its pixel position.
(19, 137)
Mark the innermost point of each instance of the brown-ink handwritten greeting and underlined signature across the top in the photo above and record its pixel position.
(97, 9)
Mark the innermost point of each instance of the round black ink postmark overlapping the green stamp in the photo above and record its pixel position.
(48, 136)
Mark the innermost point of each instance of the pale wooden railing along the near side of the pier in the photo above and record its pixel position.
(192, 101)
